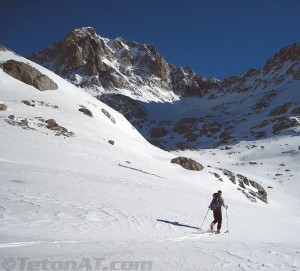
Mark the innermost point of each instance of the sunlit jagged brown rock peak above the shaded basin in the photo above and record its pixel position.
(100, 65)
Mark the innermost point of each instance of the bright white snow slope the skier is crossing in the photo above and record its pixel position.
(74, 198)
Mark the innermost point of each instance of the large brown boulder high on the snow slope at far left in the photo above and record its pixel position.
(29, 75)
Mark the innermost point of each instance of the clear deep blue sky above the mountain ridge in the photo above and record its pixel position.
(215, 37)
